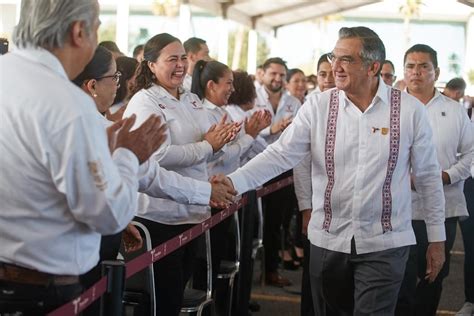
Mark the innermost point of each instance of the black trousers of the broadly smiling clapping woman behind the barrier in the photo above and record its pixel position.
(173, 271)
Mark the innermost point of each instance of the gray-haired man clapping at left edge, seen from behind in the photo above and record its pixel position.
(61, 187)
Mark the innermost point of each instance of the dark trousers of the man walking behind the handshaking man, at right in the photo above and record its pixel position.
(422, 298)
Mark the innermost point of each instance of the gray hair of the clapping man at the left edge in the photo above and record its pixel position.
(46, 23)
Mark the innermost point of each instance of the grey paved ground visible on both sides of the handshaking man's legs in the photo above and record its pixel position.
(286, 301)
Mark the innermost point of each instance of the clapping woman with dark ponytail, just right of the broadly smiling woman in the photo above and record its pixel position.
(213, 83)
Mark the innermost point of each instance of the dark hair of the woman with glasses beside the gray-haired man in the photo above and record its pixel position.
(97, 67)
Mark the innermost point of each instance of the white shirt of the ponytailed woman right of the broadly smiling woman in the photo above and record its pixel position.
(229, 161)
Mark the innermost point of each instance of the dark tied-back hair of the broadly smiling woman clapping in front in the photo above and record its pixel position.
(151, 51)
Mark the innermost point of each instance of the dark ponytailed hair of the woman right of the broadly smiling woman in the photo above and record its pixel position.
(205, 71)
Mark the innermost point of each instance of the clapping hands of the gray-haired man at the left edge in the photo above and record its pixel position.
(144, 140)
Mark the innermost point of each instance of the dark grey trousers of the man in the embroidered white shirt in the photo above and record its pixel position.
(356, 284)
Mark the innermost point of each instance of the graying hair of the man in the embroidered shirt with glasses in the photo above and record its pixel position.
(373, 48)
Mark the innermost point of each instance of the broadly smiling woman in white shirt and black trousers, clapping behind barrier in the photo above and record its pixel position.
(192, 141)
